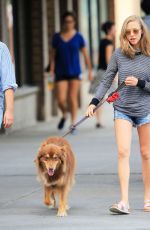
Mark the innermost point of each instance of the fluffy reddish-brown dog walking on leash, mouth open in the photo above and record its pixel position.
(55, 164)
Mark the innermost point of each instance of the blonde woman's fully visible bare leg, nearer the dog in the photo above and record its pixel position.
(123, 130)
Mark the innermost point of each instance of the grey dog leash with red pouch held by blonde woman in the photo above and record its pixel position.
(111, 98)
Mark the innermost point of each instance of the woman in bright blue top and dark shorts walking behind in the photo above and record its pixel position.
(65, 66)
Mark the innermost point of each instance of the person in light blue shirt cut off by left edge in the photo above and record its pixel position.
(7, 87)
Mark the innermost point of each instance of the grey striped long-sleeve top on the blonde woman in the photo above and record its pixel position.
(133, 100)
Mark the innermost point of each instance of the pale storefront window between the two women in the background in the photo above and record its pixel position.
(92, 14)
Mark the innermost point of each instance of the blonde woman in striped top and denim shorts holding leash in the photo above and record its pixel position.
(132, 62)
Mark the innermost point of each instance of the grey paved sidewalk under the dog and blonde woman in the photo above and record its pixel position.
(96, 185)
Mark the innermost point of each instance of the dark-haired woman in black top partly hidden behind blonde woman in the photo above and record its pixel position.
(106, 48)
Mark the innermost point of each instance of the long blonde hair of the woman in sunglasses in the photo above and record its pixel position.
(126, 47)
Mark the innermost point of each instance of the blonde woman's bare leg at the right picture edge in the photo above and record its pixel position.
(144, 138)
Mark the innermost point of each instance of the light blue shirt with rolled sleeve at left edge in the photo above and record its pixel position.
(7, 74)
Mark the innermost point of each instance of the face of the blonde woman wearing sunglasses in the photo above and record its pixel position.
(133, 33)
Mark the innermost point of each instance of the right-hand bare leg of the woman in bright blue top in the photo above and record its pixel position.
(74, 86)
